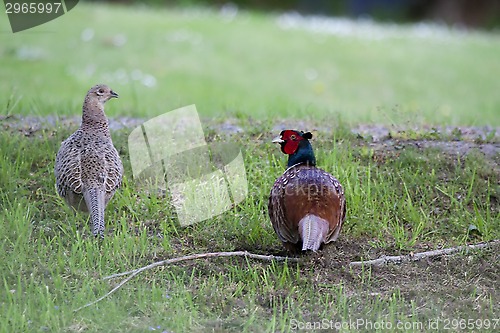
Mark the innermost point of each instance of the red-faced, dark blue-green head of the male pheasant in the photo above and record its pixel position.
(297, 145)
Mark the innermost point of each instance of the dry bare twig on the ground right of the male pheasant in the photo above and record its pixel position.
(384, 260)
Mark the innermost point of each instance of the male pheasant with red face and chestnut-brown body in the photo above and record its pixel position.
(306, 205)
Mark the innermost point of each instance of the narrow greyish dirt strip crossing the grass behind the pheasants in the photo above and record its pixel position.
(459, 140)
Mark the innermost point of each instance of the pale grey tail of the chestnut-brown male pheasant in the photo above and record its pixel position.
(313, 231)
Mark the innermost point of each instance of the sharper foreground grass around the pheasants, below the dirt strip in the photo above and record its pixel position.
(398, 201)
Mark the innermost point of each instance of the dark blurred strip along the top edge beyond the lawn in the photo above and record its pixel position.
(465, 13)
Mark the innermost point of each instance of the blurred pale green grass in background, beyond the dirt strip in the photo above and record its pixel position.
(250, 66)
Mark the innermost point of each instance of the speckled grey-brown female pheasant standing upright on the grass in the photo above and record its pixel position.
(88, 168)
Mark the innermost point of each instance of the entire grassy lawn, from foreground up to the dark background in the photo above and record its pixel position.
(422, 185)
